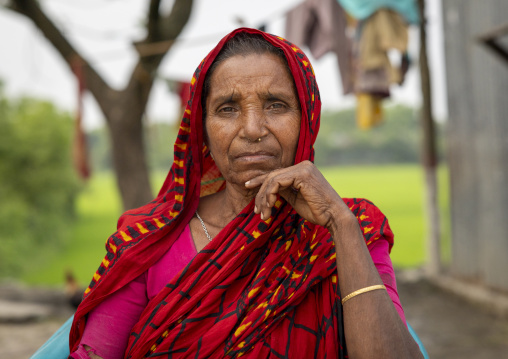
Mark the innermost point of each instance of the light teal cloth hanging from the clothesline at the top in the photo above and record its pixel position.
(362, 9)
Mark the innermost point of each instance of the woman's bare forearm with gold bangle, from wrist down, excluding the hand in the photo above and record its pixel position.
(372, 326)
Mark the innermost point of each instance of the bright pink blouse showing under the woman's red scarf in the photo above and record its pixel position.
(110, 323)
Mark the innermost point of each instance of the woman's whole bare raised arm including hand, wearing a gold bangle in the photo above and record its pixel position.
(372, 325)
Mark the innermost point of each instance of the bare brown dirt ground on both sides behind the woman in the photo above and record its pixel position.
(448, 326)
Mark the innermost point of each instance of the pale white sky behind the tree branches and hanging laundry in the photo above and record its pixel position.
(105, 29)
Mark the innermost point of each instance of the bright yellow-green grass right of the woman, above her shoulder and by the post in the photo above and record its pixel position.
(398, 191)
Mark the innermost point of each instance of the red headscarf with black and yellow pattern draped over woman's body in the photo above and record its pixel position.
(260, 288)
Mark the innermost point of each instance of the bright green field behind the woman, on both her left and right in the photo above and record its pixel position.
(397, 190)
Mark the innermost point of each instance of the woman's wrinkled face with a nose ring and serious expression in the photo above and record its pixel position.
(252, 97)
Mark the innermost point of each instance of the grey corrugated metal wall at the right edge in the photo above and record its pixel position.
(477, 138)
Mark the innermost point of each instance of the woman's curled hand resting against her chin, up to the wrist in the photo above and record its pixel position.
(305, 188)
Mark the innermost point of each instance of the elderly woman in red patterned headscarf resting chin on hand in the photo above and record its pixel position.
(247, 250)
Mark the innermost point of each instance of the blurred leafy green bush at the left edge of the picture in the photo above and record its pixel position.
(37, 182)
